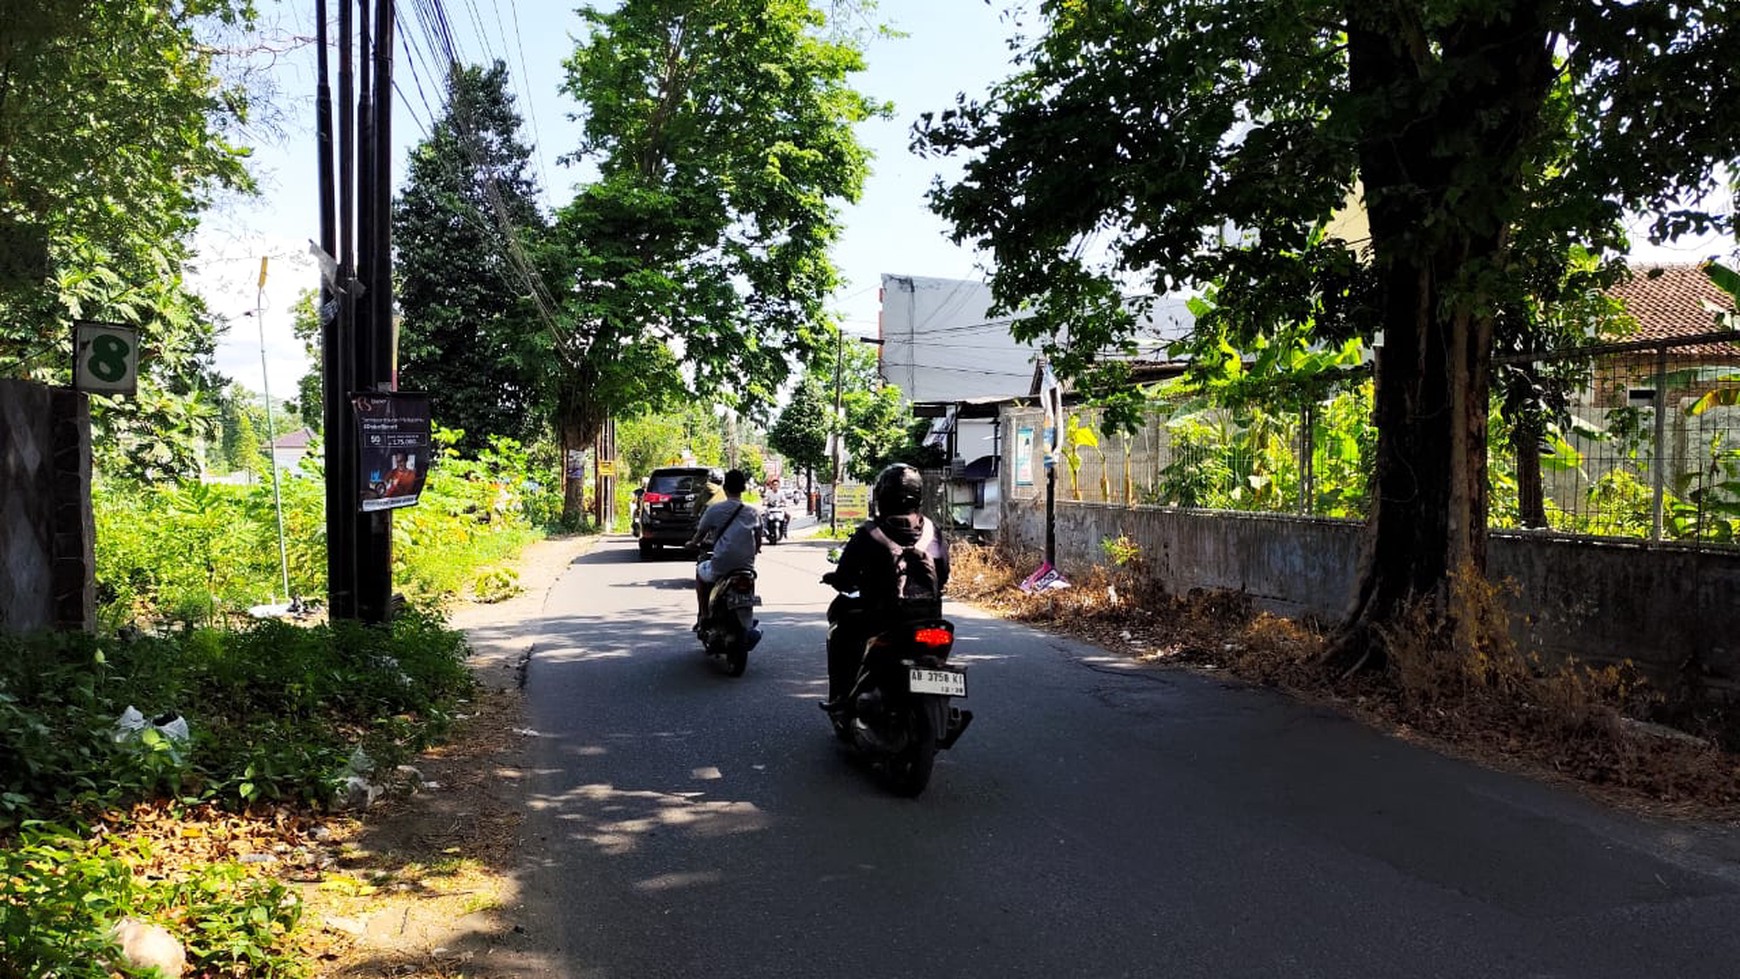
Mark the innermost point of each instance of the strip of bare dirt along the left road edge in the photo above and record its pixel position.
(425, 884)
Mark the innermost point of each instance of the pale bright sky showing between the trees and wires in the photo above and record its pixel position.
(951, 46)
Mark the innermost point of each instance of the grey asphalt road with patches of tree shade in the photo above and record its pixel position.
(1099, 820)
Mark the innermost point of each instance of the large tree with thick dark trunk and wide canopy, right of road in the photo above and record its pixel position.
(1148, 145)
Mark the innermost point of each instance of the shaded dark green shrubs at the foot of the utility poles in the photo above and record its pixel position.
(274, 710)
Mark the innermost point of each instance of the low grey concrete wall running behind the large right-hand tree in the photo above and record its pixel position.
(1596, 601)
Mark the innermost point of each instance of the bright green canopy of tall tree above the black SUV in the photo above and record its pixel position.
(697, 263)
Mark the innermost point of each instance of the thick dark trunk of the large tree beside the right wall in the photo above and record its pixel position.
(1438, 229)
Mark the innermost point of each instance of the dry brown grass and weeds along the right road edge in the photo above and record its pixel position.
(1480, 700)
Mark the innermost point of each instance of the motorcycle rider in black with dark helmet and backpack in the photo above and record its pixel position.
(867, 568)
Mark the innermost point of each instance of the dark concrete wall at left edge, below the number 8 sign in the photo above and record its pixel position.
(48, 533)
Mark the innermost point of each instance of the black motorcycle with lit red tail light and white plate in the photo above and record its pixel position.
(899, 712)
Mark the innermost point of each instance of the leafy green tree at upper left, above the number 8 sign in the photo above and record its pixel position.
(114, 133)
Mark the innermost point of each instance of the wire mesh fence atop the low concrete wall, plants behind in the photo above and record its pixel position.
(1624, 441)
